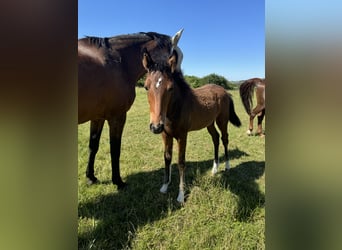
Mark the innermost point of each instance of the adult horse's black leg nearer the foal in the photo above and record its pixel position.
(116, 125)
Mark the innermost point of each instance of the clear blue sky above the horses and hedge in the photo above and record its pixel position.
(226, 37)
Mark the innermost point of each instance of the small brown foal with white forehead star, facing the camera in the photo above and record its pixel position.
(176, 109)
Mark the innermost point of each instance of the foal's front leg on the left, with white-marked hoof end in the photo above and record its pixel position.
(168, 143)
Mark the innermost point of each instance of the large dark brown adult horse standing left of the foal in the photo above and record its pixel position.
(108, 69)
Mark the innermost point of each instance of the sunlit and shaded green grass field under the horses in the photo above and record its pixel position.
(222, 212)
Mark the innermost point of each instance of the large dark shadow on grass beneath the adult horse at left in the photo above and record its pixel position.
(113, 219)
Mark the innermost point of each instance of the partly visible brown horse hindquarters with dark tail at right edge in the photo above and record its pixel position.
(246, 93)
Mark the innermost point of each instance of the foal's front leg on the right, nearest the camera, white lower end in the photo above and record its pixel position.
(181, 166)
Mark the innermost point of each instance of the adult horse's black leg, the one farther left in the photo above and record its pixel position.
(95, 135)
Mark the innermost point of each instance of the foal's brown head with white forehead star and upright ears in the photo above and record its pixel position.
(160, 87)
